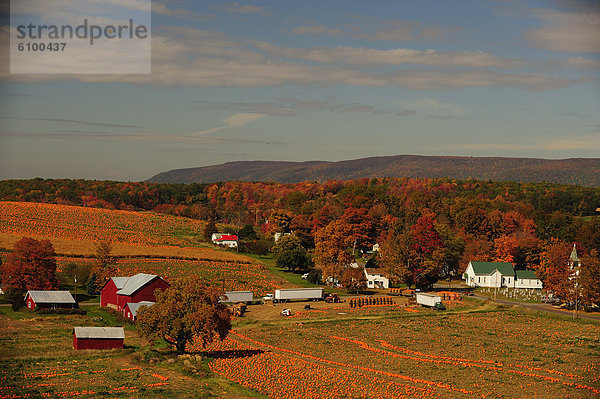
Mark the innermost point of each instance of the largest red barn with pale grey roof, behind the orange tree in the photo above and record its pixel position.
(119, 291)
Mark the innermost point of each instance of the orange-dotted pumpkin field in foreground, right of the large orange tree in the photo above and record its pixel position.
(495, 353)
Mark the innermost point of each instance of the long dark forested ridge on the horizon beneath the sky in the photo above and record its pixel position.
(579, 171)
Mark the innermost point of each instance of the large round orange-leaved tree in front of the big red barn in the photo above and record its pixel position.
(185, 312)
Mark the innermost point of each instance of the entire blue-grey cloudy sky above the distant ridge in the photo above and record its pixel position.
(316, 80)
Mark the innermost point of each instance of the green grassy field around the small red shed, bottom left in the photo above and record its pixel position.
(37, 360)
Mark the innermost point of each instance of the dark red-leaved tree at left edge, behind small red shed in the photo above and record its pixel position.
(31, 266)
